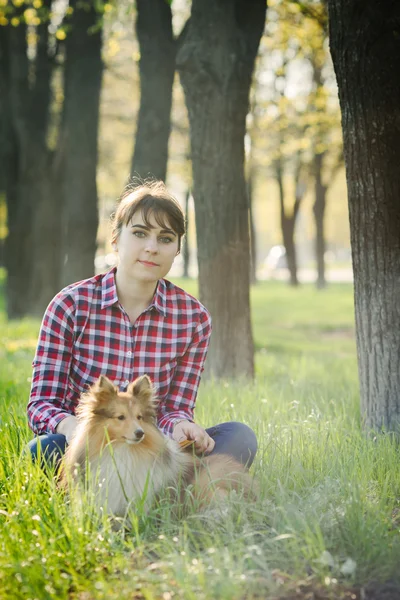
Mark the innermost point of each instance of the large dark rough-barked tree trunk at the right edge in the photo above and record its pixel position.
(365, 46)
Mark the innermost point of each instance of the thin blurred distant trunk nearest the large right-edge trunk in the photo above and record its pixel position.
(319, 214)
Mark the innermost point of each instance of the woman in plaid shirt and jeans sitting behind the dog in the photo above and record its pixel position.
(125, 323)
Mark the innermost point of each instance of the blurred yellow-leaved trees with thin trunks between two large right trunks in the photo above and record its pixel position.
(296, 119)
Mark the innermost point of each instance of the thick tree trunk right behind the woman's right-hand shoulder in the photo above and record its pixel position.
(216, 62)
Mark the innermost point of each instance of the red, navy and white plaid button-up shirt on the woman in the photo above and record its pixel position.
(86, 333)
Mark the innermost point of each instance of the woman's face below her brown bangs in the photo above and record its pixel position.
(146, 253)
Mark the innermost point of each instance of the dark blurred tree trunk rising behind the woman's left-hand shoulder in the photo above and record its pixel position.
(78, 144)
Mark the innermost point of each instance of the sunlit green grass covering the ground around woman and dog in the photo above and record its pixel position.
(328, 494)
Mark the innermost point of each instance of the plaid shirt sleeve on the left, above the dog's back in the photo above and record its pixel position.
(51, 366)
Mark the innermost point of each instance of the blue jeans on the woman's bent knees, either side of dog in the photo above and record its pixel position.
(232, 438)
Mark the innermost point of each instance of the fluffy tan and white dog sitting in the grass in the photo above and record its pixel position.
(125, 458)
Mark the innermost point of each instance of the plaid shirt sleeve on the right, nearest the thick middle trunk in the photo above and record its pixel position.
(181, 398)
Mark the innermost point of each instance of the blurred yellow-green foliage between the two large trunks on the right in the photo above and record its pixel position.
(297, 102)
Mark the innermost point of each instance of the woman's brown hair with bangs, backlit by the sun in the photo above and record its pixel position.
(151, 198)
